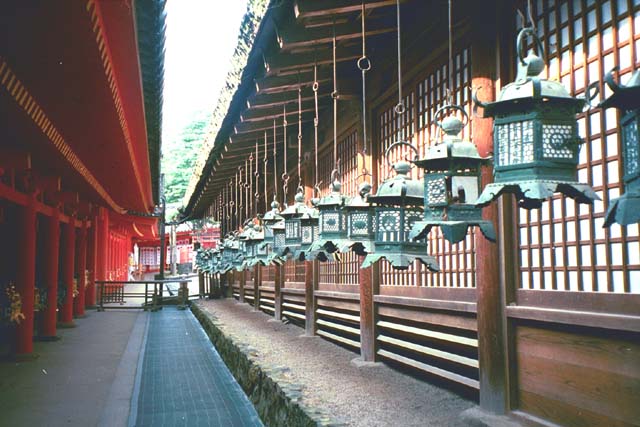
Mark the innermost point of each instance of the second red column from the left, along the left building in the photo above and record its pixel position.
(52, 254)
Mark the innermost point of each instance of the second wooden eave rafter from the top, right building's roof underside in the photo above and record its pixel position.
(297, 37)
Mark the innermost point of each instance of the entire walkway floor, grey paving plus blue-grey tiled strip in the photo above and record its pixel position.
(120, 368)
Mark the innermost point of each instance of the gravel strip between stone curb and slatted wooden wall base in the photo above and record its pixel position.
(367, 396)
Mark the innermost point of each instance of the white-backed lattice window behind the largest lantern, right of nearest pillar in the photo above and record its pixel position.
(563, 245)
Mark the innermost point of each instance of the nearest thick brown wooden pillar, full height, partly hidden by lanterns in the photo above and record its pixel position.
(492, 341)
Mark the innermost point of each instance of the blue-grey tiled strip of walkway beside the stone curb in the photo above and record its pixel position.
(182, 381)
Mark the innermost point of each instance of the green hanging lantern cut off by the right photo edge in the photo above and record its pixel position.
(625, 210)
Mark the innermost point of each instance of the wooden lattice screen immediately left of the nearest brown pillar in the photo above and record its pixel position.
(417, 125)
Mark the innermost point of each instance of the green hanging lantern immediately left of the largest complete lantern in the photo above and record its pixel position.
(452, 180)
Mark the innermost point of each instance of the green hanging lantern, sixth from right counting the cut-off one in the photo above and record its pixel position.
(332, 223)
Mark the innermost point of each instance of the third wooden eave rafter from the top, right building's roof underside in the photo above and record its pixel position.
(293, 64)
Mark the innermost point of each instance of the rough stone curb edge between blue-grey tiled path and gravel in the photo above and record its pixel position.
(278, 400)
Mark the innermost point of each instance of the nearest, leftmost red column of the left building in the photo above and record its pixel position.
(26, 275)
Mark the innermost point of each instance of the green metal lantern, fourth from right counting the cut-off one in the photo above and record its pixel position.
(396, 210)
